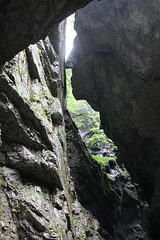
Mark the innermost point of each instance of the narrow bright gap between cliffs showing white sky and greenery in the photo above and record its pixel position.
(99, 146)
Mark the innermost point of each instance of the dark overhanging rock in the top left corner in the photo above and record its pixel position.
(25, 22)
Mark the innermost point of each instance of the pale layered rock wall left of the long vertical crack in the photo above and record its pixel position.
(35, 203)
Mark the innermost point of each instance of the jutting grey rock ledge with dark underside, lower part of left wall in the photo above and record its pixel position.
(41, 165)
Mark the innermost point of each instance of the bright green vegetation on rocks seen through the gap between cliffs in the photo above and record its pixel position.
(88, 122)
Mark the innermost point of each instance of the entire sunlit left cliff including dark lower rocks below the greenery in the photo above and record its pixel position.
(50, 187)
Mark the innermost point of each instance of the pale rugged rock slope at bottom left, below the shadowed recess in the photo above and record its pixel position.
(30, 210)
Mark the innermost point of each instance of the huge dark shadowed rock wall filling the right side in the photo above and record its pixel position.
(116, 66)
